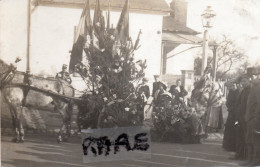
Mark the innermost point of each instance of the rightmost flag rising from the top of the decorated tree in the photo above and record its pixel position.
(123, 23)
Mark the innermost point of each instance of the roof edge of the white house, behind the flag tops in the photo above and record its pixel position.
(146, 6)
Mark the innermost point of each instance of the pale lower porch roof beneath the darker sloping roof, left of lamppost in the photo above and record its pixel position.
(179, 38)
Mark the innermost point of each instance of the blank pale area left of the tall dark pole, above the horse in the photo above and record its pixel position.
(12, 30)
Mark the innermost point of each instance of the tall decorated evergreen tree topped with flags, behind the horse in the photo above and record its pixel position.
(104, 57)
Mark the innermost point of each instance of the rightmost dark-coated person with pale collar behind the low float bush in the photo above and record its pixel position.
(178, 92)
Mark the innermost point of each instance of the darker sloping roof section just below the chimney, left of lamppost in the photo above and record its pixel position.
(171, 25)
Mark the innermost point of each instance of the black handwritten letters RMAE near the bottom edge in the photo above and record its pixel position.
(103, 145)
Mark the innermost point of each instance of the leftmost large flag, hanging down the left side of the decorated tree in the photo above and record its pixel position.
(83, 33)
